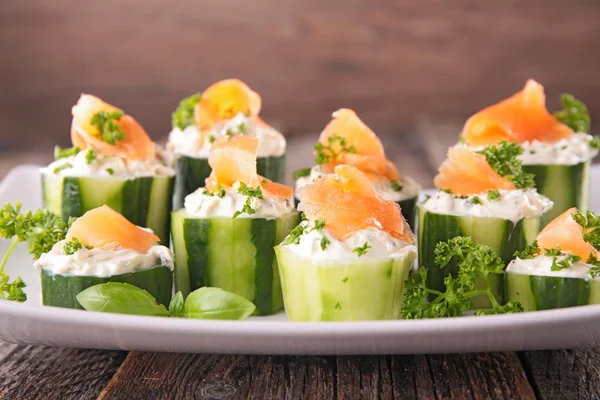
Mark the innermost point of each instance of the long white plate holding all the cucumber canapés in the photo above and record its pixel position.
(32, 323)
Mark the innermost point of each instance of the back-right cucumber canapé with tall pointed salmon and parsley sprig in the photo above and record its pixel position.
(557, 148)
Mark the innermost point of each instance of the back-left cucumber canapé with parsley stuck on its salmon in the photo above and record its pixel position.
(113, 162)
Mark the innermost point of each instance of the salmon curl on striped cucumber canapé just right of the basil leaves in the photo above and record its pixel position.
(234, 160)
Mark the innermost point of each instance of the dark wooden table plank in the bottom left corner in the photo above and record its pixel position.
(38, 372)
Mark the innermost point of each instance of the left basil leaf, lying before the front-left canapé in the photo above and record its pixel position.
(120, 298)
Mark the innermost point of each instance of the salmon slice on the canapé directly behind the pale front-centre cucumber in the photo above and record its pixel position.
(366, 153)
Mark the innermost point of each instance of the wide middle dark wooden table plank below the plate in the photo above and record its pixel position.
(178, 376)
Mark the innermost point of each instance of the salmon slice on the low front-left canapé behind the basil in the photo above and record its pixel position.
(103, 225)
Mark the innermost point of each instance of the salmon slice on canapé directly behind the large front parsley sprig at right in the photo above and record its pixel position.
(465, 173)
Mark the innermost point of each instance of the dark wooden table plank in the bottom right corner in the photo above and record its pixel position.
(564, 374)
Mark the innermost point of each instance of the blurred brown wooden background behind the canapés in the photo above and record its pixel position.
(397, 62)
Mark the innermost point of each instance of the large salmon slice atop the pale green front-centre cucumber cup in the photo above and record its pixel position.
(348, 202)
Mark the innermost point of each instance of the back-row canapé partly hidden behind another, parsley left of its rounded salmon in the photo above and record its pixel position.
(227, 108)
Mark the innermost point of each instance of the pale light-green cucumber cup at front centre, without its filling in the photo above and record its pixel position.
(369, 289)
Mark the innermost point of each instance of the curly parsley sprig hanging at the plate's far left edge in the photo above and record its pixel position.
(40, 230)
